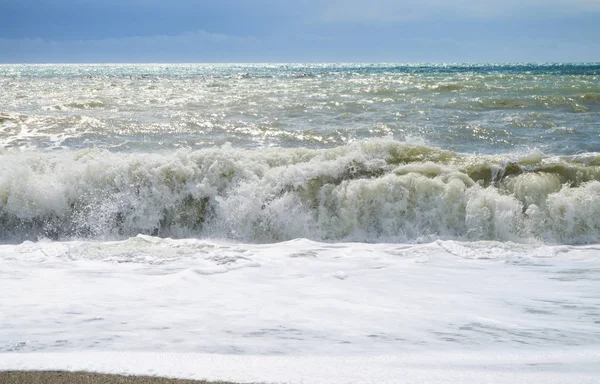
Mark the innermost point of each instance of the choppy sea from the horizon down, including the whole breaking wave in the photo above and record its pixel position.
(264, 153)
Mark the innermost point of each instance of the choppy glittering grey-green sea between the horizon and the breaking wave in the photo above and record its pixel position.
(467, 108)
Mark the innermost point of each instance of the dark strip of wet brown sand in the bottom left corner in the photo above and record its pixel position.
(59, 377)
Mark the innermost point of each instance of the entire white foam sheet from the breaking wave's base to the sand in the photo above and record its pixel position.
(303, 311)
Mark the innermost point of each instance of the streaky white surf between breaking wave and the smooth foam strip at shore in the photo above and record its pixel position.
(297, 297)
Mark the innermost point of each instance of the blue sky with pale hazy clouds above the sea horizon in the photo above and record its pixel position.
(112, 31)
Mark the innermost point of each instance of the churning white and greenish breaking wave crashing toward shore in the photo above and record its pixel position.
(377, 190)
